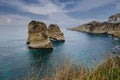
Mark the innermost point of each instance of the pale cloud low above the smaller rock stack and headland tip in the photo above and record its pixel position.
(64, 20)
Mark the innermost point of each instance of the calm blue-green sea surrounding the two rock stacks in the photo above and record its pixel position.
(16, 60)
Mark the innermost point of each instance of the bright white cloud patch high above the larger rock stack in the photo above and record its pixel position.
(42, 10)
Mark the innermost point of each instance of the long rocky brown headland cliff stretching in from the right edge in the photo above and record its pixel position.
(111, 27)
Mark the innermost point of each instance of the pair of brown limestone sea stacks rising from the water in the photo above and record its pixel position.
(40, 37)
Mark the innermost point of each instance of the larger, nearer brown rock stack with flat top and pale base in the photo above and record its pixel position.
(37, 37)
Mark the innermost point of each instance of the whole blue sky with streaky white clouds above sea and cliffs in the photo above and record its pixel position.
(66, 13)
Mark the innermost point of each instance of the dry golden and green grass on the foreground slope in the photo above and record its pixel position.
(108, 70)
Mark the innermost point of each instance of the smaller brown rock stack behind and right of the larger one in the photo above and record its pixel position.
(55, 33)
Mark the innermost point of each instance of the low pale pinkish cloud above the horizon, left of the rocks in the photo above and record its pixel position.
(13, 20)
